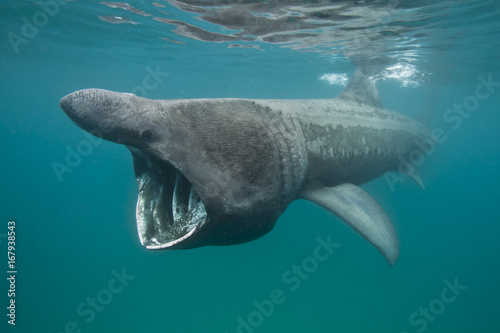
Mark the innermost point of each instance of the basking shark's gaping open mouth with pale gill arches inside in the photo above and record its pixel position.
(169, 208)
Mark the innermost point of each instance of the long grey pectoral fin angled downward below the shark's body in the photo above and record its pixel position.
(358, 209)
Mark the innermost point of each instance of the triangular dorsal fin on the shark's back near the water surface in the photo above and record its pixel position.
(361, 89)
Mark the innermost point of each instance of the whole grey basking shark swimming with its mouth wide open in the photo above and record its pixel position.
(221, 171)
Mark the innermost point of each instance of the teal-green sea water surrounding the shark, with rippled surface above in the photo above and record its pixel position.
(80, 266)
